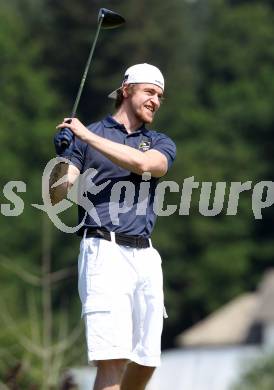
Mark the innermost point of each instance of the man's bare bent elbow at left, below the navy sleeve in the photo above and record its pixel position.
(60, 170)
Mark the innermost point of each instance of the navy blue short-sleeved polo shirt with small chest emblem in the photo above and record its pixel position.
(84, 157)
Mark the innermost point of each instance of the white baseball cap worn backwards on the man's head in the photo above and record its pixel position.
(141, 73)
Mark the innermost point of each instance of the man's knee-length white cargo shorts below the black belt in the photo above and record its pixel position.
(121, 290)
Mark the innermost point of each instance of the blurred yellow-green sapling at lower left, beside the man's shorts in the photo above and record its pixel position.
(43, 339)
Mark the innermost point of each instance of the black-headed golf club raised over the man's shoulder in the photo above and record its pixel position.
(107, 19)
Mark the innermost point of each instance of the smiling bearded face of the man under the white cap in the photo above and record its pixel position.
(144, 100)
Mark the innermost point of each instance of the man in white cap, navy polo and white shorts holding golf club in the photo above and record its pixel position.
(120, 275)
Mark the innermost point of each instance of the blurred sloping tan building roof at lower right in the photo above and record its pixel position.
(239, 321)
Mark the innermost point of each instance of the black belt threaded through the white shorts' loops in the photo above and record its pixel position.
(120, 239)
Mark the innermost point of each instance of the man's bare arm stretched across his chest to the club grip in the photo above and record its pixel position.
(125, 156)
